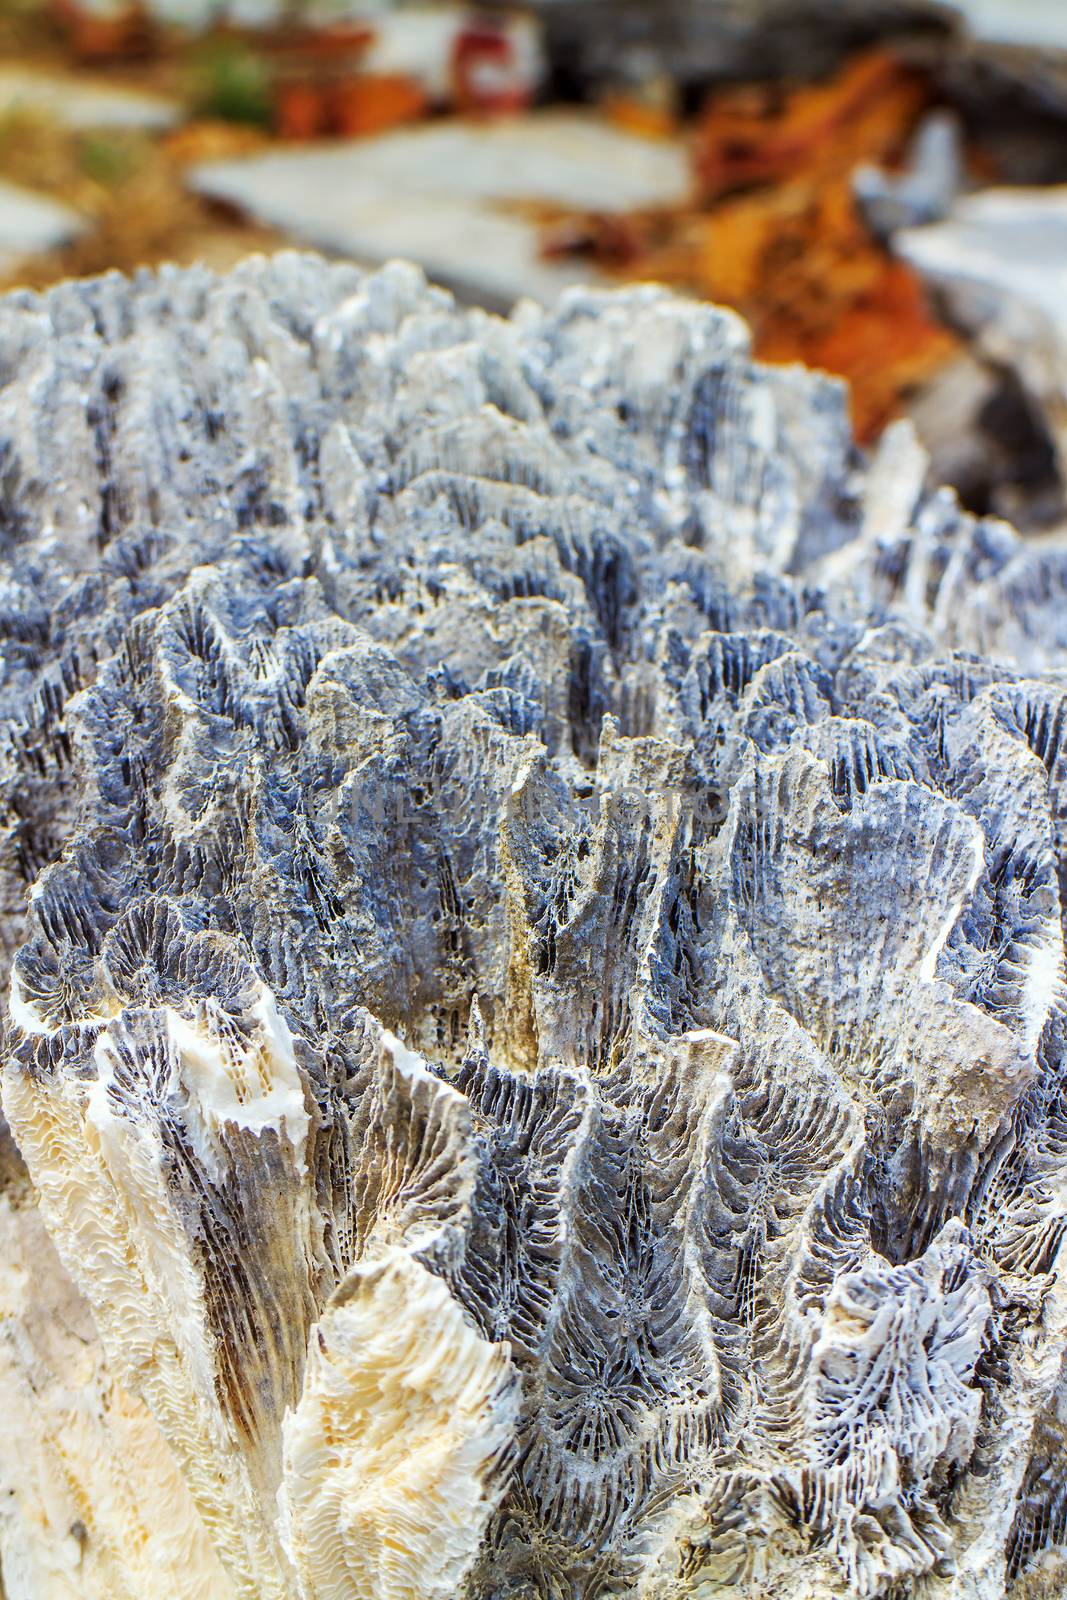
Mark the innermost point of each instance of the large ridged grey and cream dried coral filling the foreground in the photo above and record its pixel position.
(533, 897)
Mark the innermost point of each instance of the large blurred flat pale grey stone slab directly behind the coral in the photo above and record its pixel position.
(447, 194)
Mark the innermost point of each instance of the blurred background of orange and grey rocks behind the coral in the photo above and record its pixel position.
(877, 186)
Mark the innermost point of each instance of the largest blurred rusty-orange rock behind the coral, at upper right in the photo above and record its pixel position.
(775, 233)
